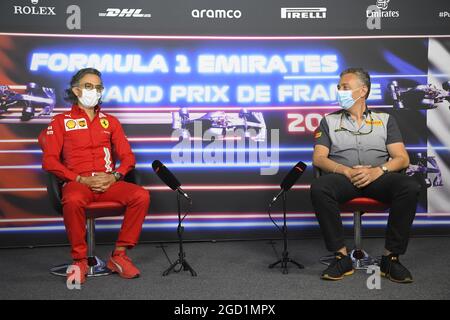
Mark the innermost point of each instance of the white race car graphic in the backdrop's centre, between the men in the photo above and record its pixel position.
(221, 123)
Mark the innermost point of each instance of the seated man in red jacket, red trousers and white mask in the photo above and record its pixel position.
(78, 147)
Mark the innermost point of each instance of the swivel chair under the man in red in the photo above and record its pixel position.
(94, 210)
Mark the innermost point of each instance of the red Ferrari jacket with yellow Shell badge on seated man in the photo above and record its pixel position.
(73, 145)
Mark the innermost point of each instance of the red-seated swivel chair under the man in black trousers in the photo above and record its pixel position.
(358, 206)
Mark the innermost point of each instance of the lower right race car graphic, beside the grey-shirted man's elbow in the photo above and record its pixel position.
(426, 169)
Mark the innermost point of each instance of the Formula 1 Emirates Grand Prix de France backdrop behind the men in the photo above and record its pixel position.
(228, 96)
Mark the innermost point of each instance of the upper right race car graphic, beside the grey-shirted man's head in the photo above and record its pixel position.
(421, 97)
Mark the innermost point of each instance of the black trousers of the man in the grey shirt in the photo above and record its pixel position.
(399, 190)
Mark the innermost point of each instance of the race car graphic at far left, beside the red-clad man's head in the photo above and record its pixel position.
(28, 97)
